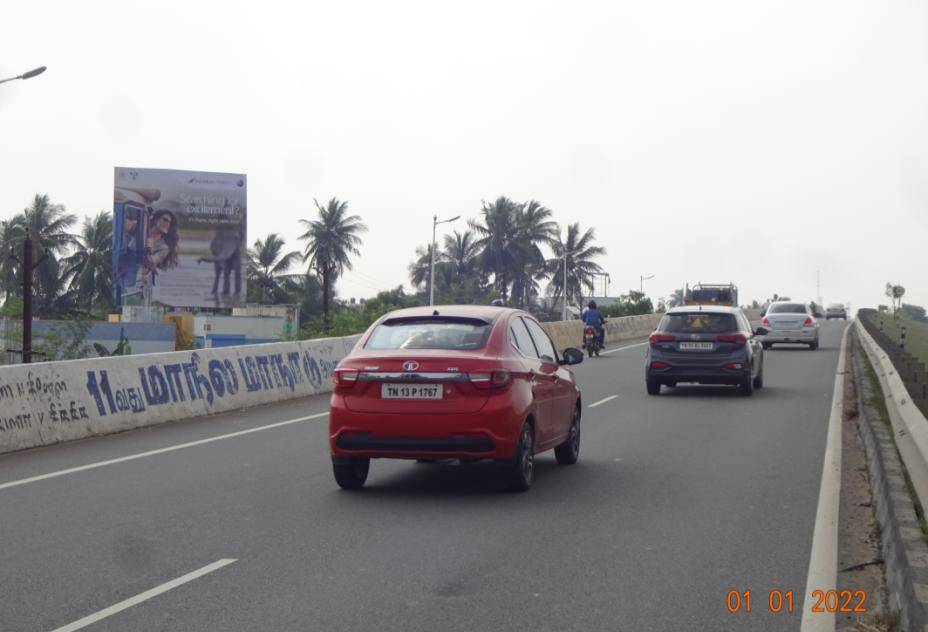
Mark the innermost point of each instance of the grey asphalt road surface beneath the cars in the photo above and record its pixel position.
(676, 500)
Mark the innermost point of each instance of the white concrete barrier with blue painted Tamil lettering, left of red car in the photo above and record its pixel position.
(48, 402)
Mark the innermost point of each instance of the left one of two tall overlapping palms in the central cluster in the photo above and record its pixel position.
(497, 242)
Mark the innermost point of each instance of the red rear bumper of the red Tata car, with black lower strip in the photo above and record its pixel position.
(488, 434)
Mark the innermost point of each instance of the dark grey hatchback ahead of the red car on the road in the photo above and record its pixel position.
(705, 345)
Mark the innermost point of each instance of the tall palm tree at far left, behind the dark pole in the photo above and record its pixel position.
(47, 224)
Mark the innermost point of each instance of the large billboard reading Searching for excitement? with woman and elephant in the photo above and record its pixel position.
(179, 238)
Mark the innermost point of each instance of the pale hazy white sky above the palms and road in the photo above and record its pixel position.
(763, 143)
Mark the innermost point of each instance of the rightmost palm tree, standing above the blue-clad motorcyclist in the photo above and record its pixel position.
(580, 265)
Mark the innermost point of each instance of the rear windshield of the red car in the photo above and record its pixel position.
(430, 333)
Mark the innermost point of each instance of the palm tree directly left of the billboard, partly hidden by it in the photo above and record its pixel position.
(90, 267)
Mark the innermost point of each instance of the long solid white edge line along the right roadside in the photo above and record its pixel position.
(823, 561)
